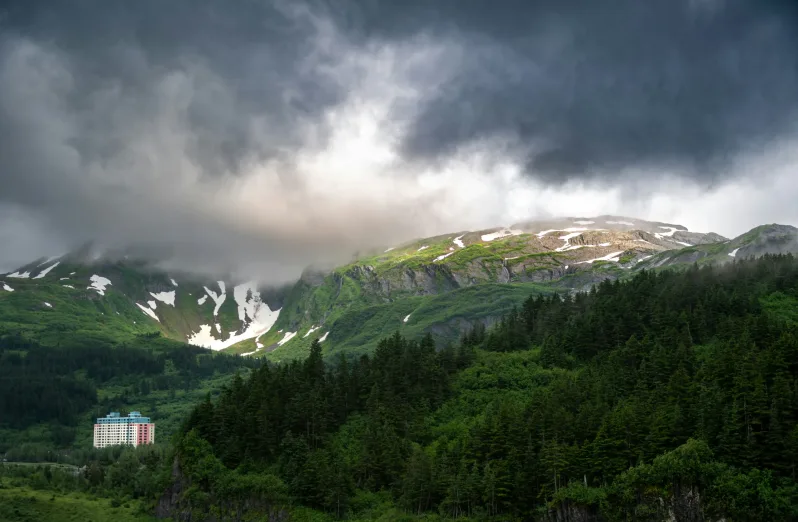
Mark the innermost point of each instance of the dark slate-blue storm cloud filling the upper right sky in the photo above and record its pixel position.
(600, 86)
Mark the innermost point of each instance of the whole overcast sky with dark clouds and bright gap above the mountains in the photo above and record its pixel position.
(261, 136)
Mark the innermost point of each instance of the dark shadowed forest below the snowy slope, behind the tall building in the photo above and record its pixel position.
(59, 386)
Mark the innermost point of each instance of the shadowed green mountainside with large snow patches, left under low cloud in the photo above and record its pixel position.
(117, 298)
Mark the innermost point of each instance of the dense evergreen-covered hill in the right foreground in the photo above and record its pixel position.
(670, 394)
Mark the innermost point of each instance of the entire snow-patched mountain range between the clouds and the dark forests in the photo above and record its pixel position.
(439, 285)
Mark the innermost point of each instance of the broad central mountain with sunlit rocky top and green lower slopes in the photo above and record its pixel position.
(394, 288)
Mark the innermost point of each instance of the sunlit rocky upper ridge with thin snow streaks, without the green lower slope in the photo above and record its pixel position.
(534, 252)
